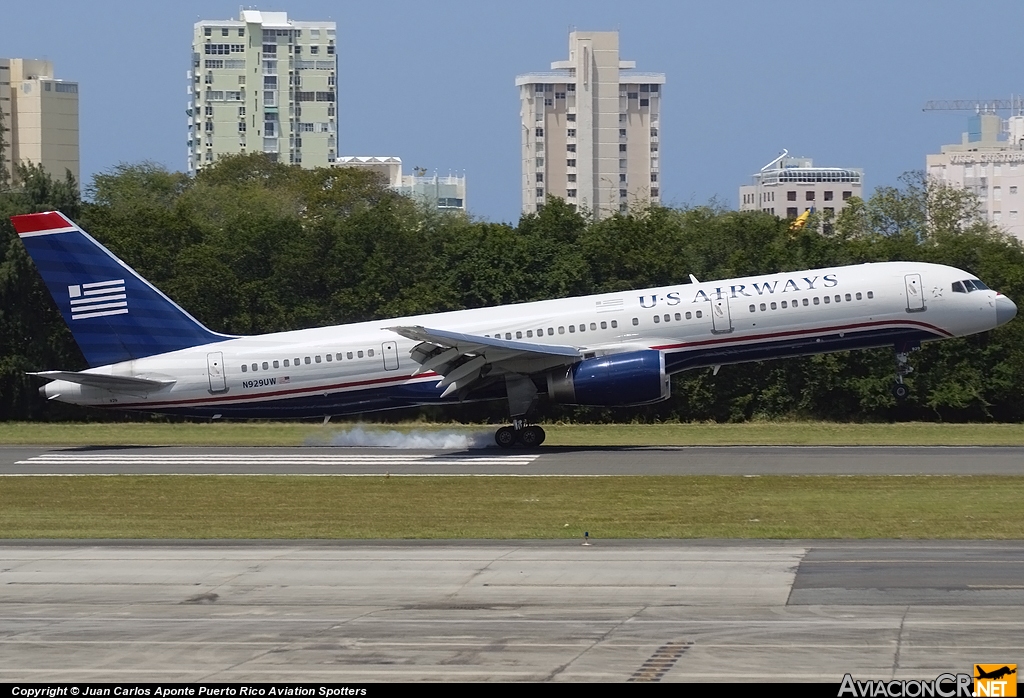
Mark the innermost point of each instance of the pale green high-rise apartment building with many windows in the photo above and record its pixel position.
(264, 83)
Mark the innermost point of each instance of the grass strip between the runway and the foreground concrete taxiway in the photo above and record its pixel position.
(629, 507)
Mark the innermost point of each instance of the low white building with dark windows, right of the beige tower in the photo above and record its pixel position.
(789, 187)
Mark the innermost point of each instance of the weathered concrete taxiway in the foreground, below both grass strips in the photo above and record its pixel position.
(617, 612)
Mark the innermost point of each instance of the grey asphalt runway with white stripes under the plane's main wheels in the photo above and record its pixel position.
(544, 462)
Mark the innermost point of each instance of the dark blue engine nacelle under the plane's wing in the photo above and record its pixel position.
(631, 378)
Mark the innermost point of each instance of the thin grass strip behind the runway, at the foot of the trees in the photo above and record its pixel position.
(756, 433)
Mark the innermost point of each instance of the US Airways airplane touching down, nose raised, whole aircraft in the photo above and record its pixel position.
(147, 354)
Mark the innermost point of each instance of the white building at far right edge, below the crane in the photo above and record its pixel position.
(990, 162)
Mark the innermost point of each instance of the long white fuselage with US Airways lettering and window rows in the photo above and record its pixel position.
(365, 367)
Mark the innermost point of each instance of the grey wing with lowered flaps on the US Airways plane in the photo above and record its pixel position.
(463, 360)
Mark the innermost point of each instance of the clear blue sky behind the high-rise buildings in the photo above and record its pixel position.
(434, 83)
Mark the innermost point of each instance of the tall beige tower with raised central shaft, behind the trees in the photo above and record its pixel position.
(591, 129)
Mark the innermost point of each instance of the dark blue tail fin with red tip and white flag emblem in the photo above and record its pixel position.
(114, 314)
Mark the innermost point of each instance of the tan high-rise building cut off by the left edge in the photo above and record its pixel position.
(40, 115)
